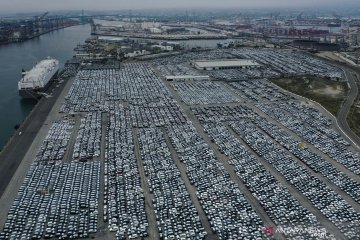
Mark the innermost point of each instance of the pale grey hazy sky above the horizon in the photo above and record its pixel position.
(11, 6)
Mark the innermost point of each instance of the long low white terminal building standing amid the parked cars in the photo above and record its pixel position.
(225, 64)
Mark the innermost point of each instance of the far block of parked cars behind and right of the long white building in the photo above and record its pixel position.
(290, 62)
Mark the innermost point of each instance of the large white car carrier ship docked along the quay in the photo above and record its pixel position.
(38, 79)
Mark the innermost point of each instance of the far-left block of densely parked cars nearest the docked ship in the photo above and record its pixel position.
(93, 88)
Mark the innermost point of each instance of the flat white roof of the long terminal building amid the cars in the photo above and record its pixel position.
(226, 63)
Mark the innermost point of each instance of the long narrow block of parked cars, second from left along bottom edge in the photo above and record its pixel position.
(124, 201)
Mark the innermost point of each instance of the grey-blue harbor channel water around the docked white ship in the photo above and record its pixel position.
(59, 44)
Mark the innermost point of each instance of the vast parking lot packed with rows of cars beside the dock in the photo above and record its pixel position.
(132, 156)
